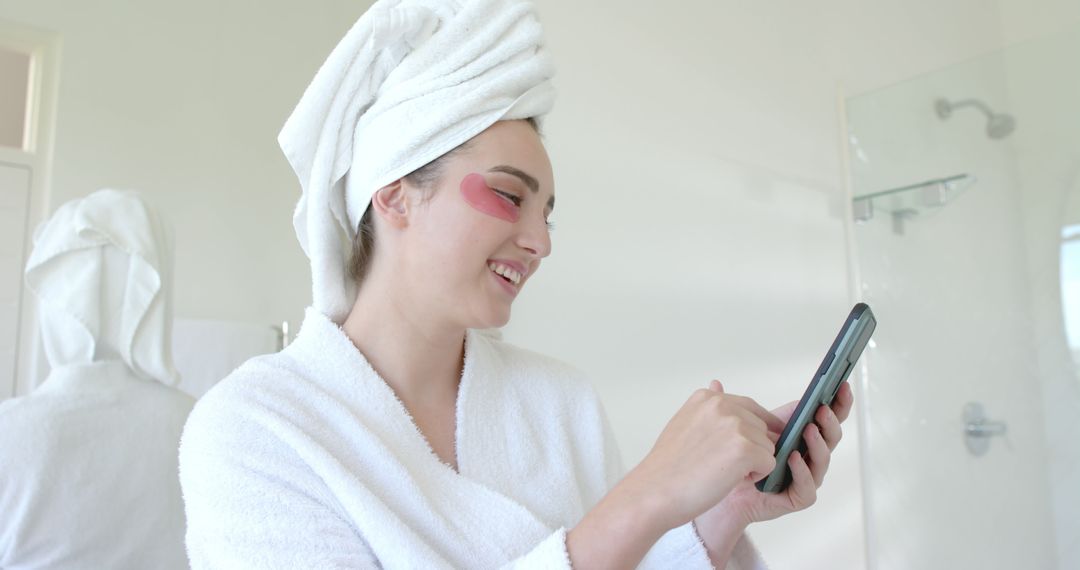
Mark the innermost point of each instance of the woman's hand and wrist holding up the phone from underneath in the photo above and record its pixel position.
(746, 505)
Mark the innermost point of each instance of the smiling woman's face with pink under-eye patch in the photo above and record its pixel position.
(480, 235)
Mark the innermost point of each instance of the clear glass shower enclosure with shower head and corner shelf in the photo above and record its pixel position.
(968, 248)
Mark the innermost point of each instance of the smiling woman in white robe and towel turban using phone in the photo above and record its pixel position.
(391, 433)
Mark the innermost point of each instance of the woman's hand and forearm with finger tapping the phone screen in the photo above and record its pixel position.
(714, 442)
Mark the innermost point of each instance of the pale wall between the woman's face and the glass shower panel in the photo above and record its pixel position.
(700, 222)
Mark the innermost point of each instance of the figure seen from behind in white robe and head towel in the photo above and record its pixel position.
(88, 462)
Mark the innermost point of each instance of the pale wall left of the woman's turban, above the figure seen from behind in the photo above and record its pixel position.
(183, 102)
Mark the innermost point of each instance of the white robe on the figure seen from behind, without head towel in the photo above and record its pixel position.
(88, 472)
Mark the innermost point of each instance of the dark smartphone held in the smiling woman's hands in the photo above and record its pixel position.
(840, 361)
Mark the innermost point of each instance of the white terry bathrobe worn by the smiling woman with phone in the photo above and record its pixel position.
(306, 459)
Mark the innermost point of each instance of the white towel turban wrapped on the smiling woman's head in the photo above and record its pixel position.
(411, 82)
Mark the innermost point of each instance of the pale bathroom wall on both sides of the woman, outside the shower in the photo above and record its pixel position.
(700, 229)
